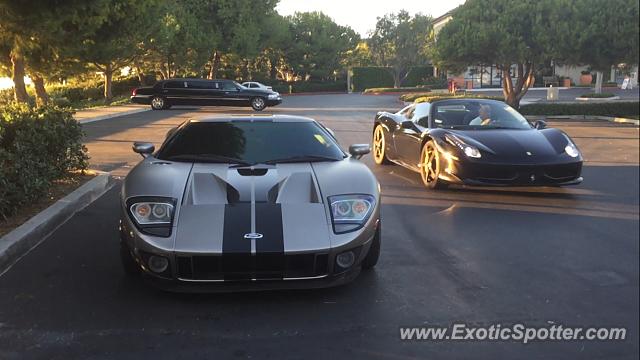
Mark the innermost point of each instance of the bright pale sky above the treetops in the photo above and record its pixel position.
(361, 15)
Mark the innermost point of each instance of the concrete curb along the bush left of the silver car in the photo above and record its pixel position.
(27, 236)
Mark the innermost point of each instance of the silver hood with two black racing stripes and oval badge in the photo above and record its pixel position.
(223, 207)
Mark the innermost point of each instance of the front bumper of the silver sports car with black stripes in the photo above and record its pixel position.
(205, 272)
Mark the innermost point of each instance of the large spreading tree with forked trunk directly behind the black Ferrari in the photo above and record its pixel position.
(512, 34)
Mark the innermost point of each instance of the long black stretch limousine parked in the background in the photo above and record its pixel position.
(170, 92)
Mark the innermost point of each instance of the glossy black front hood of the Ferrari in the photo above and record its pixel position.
(516, 145)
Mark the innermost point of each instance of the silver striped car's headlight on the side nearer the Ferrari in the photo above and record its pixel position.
(350, 212)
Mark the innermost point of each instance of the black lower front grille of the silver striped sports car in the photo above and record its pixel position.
(245, 267)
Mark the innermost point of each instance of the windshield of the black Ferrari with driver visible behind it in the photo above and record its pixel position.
(477, 115)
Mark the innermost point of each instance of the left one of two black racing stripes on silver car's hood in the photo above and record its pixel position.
(237, 261)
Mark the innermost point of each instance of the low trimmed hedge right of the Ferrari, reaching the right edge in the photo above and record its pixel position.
(612, 108)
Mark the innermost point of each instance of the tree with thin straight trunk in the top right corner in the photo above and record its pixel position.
(596, 33)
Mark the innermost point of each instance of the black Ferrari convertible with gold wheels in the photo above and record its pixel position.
(475, 142)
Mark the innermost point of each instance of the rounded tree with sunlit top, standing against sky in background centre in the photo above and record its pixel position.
(400, 42)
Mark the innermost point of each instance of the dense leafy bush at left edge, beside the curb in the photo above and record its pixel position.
(37, 147)
